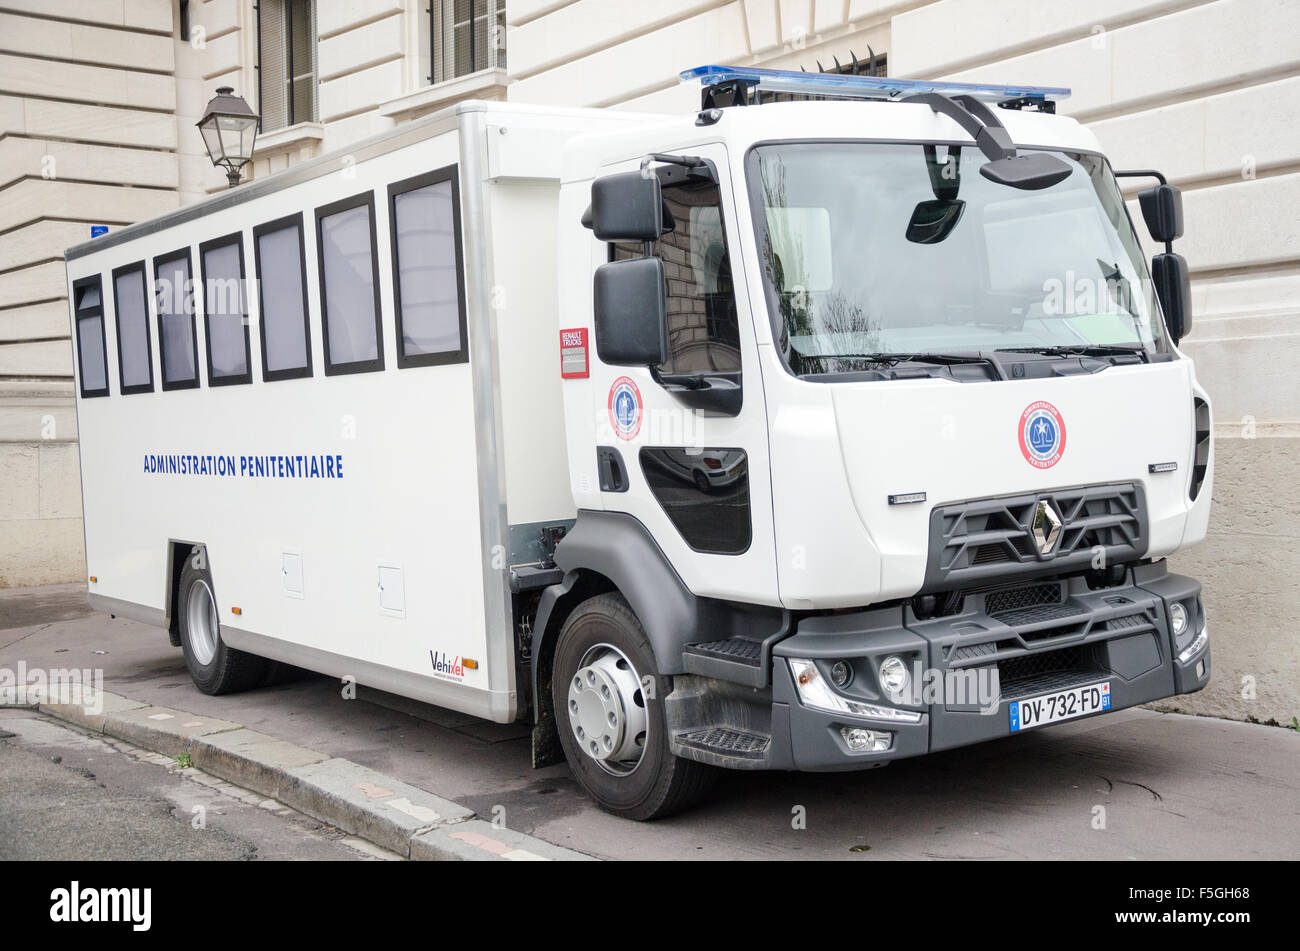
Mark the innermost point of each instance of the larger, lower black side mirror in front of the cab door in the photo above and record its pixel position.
(632, 312)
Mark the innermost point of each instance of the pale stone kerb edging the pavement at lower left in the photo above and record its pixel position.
(362, 802)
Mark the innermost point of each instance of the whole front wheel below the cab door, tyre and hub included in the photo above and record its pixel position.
(609, 710)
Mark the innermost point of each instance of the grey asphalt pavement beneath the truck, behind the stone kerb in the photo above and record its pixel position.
(1128, 785)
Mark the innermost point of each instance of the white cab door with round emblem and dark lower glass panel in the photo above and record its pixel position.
(692, 433)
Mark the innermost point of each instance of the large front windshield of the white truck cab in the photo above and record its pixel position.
(874, 250)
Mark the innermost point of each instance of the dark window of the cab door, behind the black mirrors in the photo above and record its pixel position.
(704, 331)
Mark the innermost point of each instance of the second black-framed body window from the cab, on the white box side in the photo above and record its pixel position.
(350, 286)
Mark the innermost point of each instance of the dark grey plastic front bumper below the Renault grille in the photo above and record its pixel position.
(1037, 646)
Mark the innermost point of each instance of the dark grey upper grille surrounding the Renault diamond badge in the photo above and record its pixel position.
(991, 539)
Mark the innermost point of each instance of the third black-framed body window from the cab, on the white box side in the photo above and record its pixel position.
(283, 283)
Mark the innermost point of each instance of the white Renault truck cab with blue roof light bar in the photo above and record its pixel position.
(881, 442)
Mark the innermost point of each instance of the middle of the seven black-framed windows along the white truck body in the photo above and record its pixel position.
(226, 316)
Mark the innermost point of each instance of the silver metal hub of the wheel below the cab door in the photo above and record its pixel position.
(608, 711)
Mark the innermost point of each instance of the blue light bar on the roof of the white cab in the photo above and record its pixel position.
(843, 86)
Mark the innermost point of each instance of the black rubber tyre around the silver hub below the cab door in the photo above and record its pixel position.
(661, 784)
